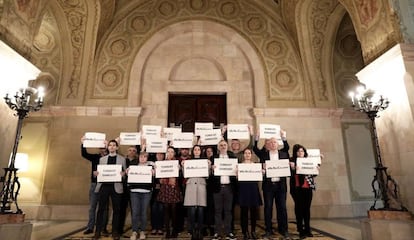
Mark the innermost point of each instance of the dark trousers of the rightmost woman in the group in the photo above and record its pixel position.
(303, 200)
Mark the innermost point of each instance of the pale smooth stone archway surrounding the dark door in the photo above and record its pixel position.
(196, 57)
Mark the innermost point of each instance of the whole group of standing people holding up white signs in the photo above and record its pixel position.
(209, 201)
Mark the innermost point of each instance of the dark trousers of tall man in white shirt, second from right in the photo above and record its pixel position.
(275, 191)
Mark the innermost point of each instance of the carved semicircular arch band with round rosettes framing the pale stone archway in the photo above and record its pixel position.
(121, 43)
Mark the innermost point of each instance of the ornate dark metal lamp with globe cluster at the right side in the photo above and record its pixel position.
(383, 185)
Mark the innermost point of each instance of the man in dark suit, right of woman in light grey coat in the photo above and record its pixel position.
(224, 188)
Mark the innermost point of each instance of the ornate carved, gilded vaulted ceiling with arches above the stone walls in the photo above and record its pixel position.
(86, 48)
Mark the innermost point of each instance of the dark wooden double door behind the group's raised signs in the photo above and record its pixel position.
(184, 110)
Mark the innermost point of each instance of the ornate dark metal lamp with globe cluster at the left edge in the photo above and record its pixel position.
(23, 103)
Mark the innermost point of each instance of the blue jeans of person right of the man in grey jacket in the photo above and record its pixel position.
(139, 206)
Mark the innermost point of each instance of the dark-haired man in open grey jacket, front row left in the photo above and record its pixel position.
(110, 189)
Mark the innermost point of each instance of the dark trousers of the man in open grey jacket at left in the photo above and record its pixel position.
(108, 191)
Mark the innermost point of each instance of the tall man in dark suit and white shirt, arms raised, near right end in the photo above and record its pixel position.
(275, 188)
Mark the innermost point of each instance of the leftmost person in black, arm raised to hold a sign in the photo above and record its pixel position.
(93, 197)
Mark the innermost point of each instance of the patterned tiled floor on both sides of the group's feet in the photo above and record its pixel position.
(348, 229)
